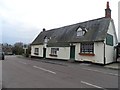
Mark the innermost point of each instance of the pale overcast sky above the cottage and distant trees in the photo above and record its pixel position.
(23, 20)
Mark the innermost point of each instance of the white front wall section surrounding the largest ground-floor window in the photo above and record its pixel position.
(98, 51)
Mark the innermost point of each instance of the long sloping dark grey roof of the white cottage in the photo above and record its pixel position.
(68, 32)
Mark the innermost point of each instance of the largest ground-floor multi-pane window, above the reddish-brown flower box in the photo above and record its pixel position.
(87, 48)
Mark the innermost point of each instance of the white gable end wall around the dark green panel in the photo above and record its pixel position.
(109, 50)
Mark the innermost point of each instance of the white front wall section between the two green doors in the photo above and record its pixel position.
(63, 53)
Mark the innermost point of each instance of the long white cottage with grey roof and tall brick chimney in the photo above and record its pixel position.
(92, 40)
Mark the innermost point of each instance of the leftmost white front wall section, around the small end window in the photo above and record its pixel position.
(40, 50)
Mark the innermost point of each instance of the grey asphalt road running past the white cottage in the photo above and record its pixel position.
(35, 73)
